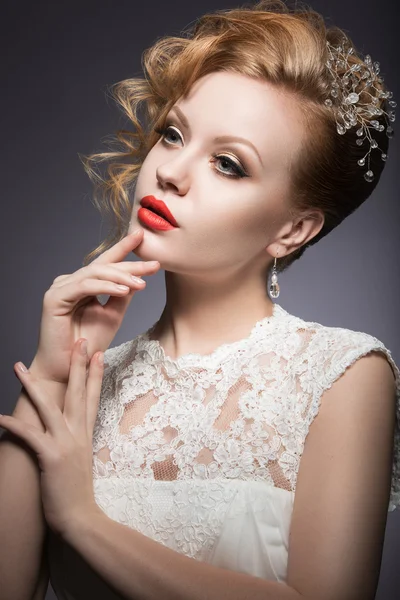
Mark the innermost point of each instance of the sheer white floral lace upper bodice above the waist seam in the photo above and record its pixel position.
(241, 412)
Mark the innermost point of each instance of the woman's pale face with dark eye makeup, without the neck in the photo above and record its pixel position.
(230, 197)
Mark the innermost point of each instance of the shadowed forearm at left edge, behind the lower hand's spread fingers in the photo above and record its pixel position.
(22, 524)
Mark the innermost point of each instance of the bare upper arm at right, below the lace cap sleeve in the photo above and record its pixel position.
(343, 486)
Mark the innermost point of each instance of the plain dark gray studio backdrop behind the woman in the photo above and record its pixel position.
(59, 58)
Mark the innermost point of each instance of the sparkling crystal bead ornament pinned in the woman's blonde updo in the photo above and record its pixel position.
(351, 110)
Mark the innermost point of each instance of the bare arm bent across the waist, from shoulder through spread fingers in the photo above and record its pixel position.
(339, 514)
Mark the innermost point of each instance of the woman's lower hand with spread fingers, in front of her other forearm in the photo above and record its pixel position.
(64, 450)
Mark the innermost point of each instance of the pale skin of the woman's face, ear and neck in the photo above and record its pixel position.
(231, 229)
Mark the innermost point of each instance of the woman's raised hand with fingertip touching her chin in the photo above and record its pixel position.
(71, 309)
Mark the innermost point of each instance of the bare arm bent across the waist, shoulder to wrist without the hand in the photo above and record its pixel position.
(338, 522)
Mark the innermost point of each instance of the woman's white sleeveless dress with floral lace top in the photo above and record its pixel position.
(202, 453)
